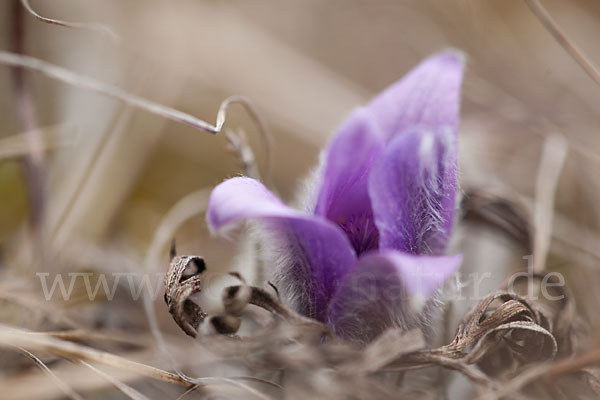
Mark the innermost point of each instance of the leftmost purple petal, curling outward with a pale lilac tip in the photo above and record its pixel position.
(313, 253)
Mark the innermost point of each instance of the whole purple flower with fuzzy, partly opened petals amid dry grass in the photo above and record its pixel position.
(380, 223)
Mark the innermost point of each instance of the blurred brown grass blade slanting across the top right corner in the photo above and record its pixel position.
(550, 24)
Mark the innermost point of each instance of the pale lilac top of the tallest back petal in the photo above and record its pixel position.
(427, 96)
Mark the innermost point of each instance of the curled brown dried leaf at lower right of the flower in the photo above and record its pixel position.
(511, 329)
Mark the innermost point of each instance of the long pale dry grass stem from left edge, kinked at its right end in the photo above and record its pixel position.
(69, 77)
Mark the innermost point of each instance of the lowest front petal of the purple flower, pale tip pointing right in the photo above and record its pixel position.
(380, 290)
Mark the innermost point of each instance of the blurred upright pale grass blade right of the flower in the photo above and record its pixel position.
(554, 155)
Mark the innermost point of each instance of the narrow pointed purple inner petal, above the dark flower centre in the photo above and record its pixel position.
(344, 197)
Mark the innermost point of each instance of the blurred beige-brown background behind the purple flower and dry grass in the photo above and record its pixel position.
(112, 173)
